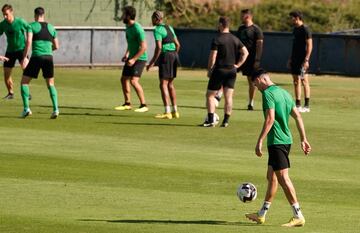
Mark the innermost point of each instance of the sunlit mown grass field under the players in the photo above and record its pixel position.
(98, 170)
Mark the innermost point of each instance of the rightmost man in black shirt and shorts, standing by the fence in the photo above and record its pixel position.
(299, 60)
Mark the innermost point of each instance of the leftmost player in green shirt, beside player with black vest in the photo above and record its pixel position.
(15, 29)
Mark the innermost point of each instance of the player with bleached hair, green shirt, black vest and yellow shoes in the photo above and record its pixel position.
(166, 55)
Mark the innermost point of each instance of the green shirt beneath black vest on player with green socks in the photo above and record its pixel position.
(43, 45)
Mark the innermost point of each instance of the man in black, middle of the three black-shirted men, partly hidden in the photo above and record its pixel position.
(252, 37)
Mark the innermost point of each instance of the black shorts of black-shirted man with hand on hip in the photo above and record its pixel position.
(224, 77)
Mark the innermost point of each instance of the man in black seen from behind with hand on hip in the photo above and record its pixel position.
(226, 55)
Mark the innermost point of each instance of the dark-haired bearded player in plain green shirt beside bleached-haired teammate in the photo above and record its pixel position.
(135, 60)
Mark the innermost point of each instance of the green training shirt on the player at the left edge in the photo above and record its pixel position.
(15, 33)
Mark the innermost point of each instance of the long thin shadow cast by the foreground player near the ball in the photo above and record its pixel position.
(185, 222)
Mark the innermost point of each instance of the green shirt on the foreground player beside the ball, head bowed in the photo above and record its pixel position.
(281, 101)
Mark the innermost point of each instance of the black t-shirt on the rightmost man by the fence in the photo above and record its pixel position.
(301, 34)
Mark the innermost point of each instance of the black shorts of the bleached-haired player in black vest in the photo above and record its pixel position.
(167, 63)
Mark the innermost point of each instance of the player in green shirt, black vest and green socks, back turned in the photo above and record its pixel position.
(42, 38)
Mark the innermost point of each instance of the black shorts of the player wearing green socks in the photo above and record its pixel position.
(45, 63)
